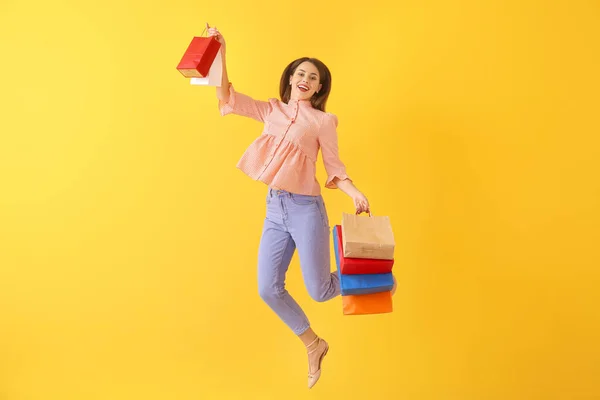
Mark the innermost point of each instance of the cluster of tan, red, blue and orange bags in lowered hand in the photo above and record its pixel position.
(364, 253)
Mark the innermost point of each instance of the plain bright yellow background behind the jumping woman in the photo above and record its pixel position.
(128, 238)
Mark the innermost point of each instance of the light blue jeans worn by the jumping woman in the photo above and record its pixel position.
(293, 222)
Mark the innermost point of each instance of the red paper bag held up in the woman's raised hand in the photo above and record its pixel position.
(199, 57)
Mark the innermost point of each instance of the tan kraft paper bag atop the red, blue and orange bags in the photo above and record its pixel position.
(367, 237)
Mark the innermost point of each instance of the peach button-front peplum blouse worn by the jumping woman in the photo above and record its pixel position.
(284, 156)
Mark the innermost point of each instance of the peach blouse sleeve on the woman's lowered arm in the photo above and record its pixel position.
(329, 148)
